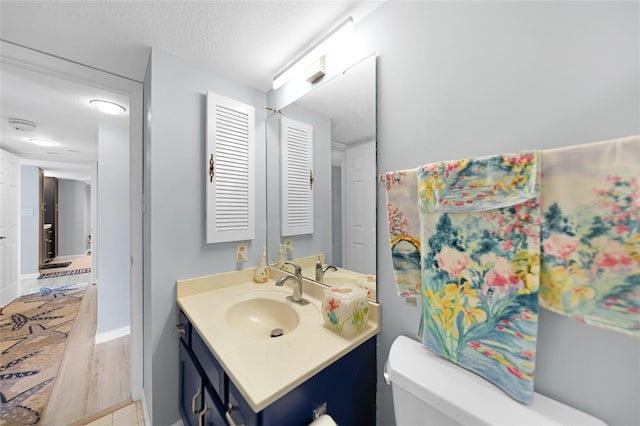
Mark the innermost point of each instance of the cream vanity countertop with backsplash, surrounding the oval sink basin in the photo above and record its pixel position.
(266, 369)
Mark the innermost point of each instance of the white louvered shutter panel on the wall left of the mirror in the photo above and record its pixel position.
(230, 192)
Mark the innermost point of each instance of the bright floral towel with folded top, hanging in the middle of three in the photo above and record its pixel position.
(481, 268)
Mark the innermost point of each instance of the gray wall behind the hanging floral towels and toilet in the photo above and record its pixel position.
(467, 79)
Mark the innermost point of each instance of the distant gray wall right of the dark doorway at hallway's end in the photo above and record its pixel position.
(72, 216)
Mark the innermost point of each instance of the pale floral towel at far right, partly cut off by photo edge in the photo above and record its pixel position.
(591, 233)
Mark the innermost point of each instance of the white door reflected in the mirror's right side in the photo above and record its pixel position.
(360, 208)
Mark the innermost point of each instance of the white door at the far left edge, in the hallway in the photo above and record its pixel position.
(9, 178)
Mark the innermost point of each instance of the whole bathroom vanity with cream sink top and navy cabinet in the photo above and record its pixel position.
(233, 372)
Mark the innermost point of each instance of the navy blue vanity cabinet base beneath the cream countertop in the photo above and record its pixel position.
(347, 386)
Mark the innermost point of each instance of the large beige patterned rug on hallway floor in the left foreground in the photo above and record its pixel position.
(33, 336)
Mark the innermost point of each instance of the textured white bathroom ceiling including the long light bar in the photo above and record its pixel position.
(249, 41)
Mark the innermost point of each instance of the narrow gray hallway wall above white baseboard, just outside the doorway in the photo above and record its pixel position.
(112, 240)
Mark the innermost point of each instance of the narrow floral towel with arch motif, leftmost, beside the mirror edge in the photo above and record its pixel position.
(404, 230)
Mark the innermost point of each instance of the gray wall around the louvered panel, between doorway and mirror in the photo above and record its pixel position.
(175, 178)
